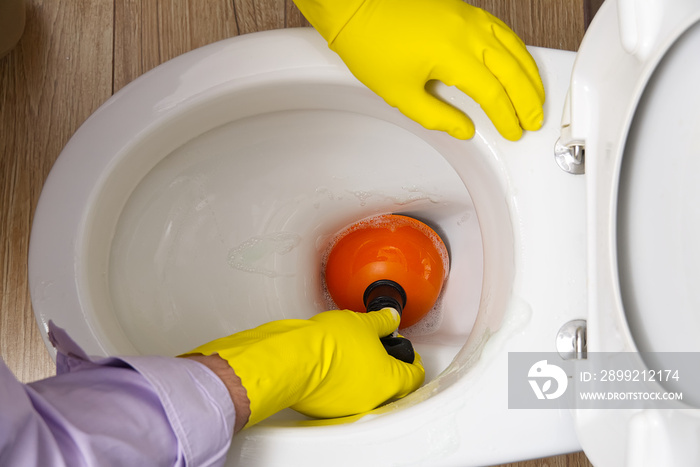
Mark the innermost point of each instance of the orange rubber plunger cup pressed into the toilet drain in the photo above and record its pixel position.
(384, 261)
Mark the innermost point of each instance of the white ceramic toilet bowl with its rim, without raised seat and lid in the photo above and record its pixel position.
(201, 199)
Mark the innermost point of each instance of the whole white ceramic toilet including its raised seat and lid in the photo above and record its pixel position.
(201, 198)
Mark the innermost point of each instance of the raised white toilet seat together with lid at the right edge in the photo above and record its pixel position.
(633, 105)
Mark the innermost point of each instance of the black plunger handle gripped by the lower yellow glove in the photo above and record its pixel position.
(388, 294)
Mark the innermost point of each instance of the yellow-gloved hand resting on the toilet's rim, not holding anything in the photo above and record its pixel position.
(395, 47)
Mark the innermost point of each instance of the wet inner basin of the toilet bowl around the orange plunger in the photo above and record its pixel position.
(228, 230)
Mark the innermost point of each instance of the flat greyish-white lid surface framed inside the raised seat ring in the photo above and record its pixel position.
(658, 213)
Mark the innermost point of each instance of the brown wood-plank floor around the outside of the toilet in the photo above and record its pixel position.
(76, 53)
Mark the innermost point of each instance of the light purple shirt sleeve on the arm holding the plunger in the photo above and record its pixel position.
(117, 411)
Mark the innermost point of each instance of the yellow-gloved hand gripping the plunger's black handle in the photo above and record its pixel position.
(330, 365)
